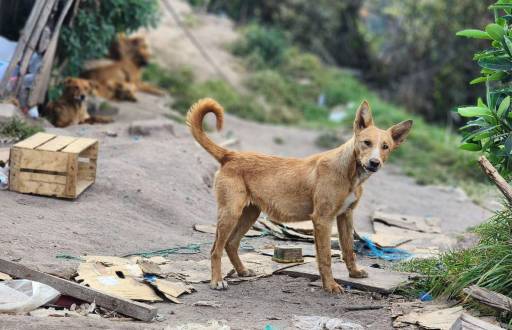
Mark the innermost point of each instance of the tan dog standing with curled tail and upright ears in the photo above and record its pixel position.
(320, 188)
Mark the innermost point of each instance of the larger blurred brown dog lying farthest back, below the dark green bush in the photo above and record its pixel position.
(129, 56)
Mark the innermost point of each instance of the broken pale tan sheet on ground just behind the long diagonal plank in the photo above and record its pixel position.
(116, 280)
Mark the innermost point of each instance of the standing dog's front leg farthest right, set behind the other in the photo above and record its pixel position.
(346, 235)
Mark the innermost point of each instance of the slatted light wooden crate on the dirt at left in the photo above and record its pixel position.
(51, 165)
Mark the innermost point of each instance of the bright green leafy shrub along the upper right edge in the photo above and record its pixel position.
(490, 129)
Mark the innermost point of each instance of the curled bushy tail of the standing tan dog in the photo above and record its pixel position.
(195, 116)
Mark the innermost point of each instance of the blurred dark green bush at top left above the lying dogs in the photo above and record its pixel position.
(96, 25)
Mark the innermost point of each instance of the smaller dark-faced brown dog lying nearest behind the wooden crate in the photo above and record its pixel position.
(71, 107)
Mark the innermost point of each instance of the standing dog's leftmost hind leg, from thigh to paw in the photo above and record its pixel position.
(231, 200)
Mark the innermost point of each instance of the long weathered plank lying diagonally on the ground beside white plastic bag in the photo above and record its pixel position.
(133, 309)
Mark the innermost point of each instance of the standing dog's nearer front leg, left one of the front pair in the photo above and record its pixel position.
(322, 230)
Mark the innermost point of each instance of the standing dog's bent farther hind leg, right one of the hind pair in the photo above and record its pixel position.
(249, 216)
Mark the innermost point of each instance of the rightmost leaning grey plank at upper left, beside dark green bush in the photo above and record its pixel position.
(40, 86)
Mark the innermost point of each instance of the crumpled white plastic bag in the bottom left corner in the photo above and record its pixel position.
(23, 296)
